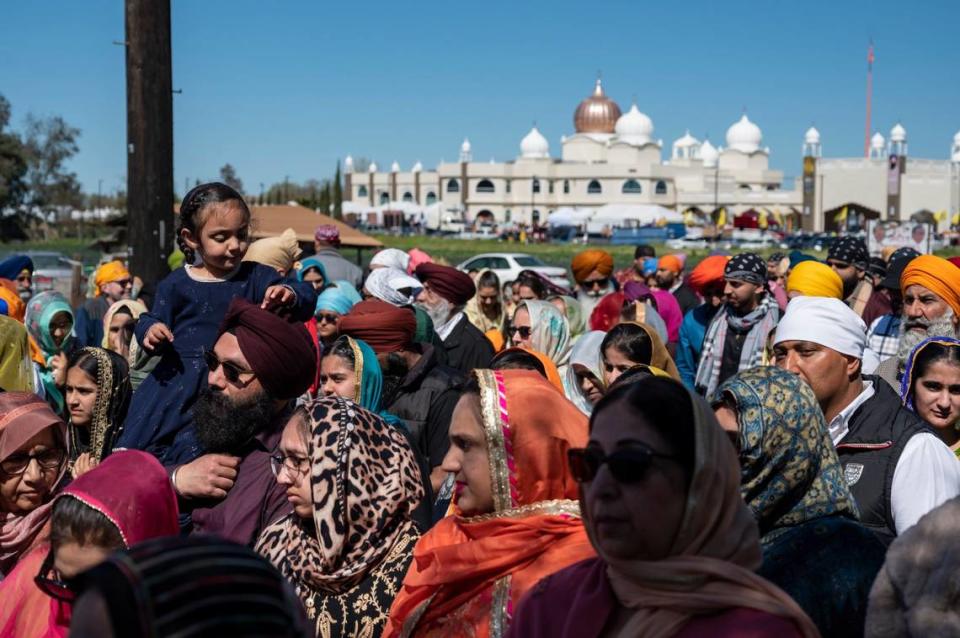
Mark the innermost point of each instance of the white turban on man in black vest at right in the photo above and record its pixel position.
(825, 321)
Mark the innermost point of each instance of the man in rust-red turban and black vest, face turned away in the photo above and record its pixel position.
(416, 386)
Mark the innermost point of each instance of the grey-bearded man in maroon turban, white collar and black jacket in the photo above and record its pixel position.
(445, 294)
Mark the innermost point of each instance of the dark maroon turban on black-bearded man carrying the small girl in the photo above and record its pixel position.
(281, 353)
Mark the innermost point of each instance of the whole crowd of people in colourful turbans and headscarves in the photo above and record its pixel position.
(270, 443)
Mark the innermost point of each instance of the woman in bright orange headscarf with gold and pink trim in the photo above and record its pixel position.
(515, 515)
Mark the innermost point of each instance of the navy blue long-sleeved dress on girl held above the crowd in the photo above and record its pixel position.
(160, 419)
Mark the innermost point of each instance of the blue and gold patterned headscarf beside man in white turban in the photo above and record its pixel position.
(790, 473)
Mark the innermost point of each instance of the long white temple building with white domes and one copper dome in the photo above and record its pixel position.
(614, 158)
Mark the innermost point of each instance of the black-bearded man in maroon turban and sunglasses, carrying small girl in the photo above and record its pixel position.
(259, 365)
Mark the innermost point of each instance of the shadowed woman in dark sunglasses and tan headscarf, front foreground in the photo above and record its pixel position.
(677, 547)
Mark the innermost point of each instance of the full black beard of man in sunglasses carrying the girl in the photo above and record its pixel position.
(225, 427)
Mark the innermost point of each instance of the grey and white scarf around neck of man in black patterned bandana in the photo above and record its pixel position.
(757, 324)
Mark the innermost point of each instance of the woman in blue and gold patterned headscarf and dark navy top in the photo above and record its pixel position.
(792, 481)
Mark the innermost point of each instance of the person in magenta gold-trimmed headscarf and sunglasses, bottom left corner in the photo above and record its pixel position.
(125, 500)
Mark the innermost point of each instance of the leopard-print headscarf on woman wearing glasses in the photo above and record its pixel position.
(365, 484)
